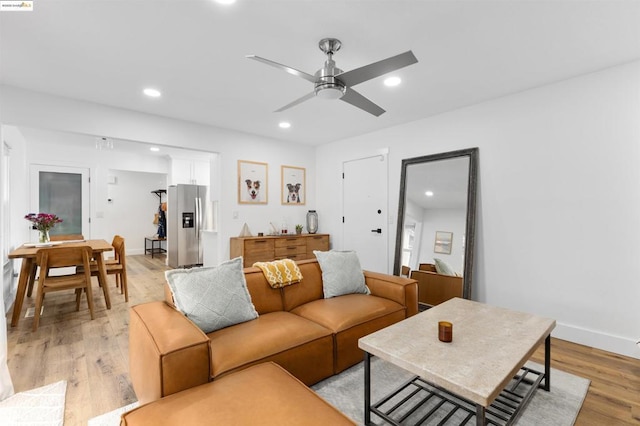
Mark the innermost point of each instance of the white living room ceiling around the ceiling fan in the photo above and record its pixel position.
(107, 51)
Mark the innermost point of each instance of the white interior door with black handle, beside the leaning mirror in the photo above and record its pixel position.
(365, 216)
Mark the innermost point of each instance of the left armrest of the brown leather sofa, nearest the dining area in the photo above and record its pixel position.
(167, 352)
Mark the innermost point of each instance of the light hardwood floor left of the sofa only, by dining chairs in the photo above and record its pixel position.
(92, 356)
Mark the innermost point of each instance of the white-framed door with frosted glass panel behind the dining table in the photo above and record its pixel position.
(63, 191)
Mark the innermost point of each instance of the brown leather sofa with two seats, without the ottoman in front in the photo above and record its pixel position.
(311, 337)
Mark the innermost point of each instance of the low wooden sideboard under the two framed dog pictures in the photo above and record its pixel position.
(265, 249)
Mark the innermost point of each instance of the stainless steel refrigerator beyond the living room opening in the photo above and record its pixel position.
(185, 221)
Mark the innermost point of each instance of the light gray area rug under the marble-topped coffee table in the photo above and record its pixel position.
(559, 407)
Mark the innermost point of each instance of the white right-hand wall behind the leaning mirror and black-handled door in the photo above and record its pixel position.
(558, 203)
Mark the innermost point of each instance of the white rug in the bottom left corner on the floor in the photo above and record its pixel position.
(43, 406)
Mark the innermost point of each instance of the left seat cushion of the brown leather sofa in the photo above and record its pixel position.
(294, 342)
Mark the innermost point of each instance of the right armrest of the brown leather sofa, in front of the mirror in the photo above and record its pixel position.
(399, 289)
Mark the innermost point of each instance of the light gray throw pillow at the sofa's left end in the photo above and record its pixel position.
(212, 297)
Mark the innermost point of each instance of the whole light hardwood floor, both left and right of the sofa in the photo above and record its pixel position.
(93, 355)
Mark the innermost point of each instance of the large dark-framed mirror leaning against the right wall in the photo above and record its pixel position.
(436, 224)
